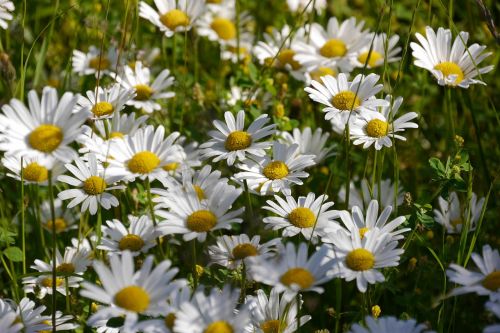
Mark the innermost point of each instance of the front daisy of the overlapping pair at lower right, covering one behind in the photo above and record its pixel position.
(360, 258)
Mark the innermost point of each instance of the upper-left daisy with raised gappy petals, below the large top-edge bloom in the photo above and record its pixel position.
(146, 93)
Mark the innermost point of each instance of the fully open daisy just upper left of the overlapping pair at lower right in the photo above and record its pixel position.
(306, 215)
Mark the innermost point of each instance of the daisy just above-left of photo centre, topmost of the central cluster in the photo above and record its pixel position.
(232, 142)
